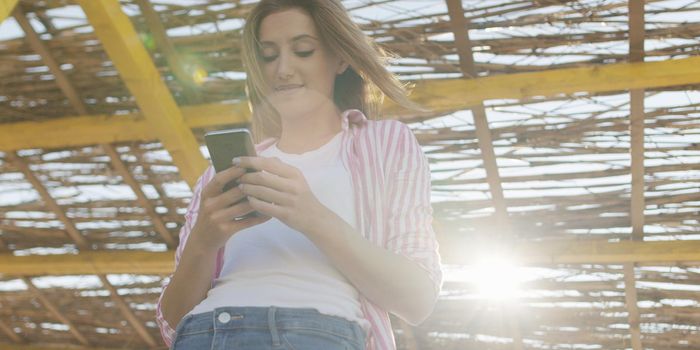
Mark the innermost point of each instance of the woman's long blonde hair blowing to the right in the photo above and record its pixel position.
(362, 86)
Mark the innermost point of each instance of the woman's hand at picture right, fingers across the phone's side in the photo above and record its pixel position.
(279, 190)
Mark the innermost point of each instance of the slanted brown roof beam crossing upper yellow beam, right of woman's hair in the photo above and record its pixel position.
(460, 29)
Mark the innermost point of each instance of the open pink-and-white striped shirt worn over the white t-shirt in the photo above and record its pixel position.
(391, 182)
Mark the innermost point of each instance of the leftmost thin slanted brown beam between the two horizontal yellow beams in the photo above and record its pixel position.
(72, 232)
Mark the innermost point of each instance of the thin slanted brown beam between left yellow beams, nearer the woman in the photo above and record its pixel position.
(124, 172)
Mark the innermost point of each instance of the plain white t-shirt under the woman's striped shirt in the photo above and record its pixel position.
(273, 265)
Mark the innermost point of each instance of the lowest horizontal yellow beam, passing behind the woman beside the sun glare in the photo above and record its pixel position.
(454, 252)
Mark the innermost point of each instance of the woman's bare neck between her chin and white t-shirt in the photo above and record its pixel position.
(309, 131)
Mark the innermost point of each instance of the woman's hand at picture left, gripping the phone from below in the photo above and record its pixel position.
(216, 221)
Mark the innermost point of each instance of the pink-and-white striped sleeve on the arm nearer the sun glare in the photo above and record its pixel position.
(409, 212)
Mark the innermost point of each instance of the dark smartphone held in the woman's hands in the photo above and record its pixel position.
(224, 145)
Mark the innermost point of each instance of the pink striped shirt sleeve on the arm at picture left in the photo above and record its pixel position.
(166, 331)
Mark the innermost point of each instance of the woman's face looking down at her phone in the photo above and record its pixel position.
(298, 68)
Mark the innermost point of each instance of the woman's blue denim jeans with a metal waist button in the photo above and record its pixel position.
(267, 328)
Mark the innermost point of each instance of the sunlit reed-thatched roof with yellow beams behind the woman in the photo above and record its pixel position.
(535, 143)
